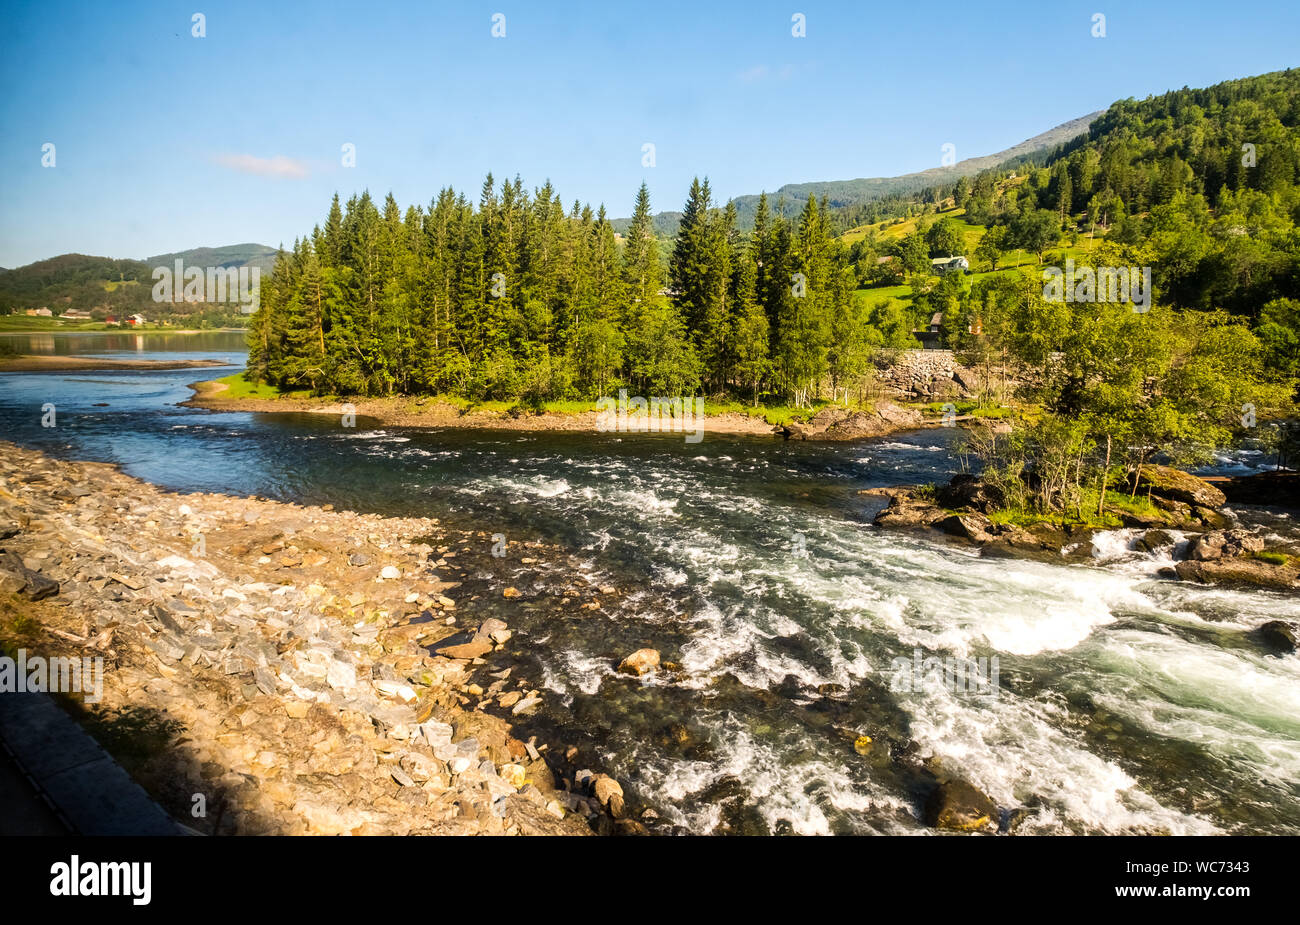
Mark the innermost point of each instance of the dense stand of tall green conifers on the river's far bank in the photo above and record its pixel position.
(522, 299)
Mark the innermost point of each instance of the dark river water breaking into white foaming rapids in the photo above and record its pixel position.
(1125, 703)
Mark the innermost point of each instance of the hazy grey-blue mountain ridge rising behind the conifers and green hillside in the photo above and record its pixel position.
(846, 193)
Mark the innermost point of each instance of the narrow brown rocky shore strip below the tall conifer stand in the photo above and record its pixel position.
(830, 424)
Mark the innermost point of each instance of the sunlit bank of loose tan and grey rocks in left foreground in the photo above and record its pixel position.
(305, 671)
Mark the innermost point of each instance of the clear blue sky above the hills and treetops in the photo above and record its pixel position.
(167, 142)
